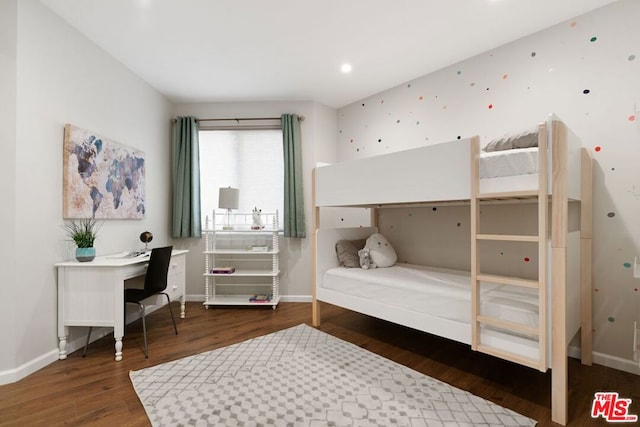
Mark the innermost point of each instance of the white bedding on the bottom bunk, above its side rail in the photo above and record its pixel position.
(438, 292)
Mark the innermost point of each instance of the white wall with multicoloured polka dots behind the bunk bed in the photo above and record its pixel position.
(514, 87)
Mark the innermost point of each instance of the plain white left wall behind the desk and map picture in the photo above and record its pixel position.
(64, 78)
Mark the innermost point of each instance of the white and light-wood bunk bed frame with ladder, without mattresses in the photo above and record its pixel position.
(565, 175)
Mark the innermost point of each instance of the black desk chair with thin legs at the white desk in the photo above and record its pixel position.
(155, 282)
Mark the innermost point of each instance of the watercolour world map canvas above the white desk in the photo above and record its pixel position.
(102, 178)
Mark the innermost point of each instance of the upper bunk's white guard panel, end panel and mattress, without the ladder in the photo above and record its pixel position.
(442, 172)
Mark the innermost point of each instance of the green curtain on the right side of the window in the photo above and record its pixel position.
(294, 225)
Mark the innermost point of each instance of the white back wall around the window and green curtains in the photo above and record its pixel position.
(318, 136)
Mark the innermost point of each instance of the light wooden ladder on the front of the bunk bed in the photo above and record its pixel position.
(479, 320)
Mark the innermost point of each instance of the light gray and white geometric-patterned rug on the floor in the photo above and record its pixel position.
(304, 377)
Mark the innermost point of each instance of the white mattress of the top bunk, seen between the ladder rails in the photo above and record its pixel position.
(521, 161)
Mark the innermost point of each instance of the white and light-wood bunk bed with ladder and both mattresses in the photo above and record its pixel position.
(529, 322)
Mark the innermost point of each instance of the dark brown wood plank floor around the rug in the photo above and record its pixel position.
(97, 391)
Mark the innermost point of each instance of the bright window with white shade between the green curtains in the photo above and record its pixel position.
(250, 160)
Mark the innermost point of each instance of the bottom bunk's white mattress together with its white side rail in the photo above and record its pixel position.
(441, 296)
